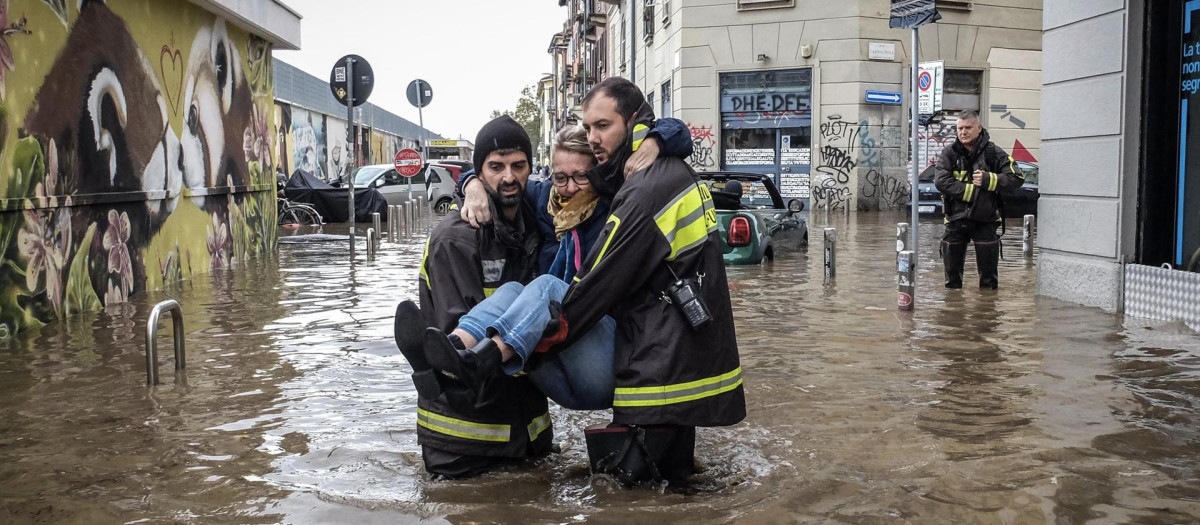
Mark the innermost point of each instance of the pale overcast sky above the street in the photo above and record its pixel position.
(476, 55)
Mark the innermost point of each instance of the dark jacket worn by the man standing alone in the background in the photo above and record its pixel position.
(953, 177)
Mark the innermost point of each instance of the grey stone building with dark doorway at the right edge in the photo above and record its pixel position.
(1120, 212)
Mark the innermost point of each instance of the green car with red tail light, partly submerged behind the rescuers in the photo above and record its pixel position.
(755, 224)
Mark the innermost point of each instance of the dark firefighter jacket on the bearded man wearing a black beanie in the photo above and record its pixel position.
(463, 267)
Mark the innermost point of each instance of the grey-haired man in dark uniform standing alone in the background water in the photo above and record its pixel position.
(970, 174)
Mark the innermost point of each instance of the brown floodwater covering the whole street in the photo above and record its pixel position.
(979, 408)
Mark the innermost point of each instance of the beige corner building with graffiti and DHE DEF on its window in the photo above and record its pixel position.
(778, 87)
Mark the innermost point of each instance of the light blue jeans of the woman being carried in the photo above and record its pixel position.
(578, 378)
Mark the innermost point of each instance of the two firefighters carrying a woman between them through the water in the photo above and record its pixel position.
(631, 312)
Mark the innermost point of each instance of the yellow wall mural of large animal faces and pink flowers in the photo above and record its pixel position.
(131, 154)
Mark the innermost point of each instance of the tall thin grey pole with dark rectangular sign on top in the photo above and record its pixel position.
(913, 15)
